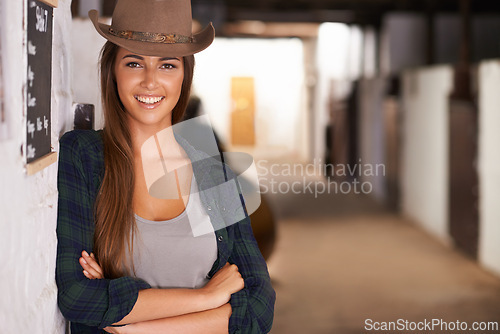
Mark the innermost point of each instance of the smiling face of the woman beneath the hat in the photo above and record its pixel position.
(149, 88)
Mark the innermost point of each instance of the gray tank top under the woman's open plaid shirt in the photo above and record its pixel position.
(179, 252)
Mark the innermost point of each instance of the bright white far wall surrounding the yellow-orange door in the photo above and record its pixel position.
(277, 68)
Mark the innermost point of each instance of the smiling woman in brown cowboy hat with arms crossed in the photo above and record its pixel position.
(129, 261)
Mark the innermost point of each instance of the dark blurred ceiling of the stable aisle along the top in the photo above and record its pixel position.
(363, 12)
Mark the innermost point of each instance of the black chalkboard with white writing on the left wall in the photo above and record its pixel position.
(39, 74)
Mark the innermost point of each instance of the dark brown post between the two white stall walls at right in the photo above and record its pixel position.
(463, 178)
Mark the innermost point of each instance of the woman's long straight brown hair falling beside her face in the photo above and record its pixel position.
(113, 210)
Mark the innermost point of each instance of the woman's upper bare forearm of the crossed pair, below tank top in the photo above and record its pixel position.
(155, 304)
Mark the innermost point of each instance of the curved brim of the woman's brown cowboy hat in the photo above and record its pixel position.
(201, 41)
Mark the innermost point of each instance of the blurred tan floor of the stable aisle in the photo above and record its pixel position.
(342, 259)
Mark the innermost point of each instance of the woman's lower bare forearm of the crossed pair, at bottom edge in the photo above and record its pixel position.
(214, 321)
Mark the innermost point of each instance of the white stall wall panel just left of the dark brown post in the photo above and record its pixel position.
(424, 148)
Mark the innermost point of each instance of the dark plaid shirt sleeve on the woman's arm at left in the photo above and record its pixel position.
(95, 303)
